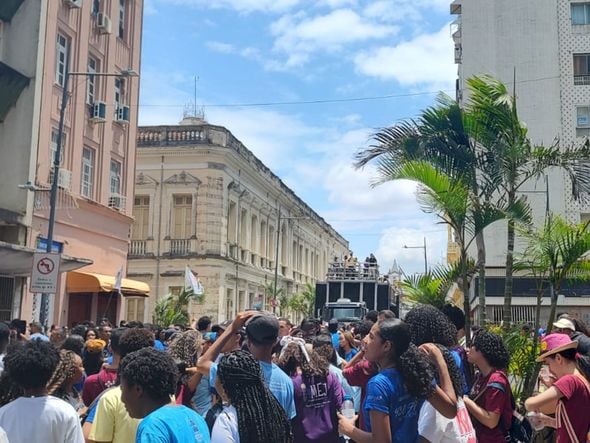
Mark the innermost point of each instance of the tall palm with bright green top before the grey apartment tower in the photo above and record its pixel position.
(511, 159)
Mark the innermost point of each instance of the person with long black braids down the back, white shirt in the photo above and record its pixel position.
(254, 415)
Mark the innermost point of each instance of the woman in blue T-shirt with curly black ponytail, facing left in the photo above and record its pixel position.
(395, 395)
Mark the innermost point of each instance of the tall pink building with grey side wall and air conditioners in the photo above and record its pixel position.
(40, 41)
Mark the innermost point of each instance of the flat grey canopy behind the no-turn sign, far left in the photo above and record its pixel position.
(17, 261)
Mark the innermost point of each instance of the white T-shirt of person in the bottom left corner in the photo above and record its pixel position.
(52, 420)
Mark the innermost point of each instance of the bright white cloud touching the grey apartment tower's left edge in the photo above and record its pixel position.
(425, 60)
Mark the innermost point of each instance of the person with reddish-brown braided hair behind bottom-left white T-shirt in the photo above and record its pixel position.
(69, 372)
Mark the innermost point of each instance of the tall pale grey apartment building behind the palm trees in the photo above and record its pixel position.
(546, 44)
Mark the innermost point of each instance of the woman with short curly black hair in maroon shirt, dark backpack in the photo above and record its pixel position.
(490, 402)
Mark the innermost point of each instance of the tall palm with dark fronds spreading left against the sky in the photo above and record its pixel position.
(443, 135)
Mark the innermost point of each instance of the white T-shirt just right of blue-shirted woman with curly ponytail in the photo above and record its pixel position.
(436, 428)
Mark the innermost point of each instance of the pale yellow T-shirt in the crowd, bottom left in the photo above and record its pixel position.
(112, 422)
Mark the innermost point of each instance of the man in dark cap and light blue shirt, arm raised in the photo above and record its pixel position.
(262, 332)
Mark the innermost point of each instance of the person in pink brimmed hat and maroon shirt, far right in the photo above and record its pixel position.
(569, 396)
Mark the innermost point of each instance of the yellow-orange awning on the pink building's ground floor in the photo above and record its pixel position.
(92, 282)
